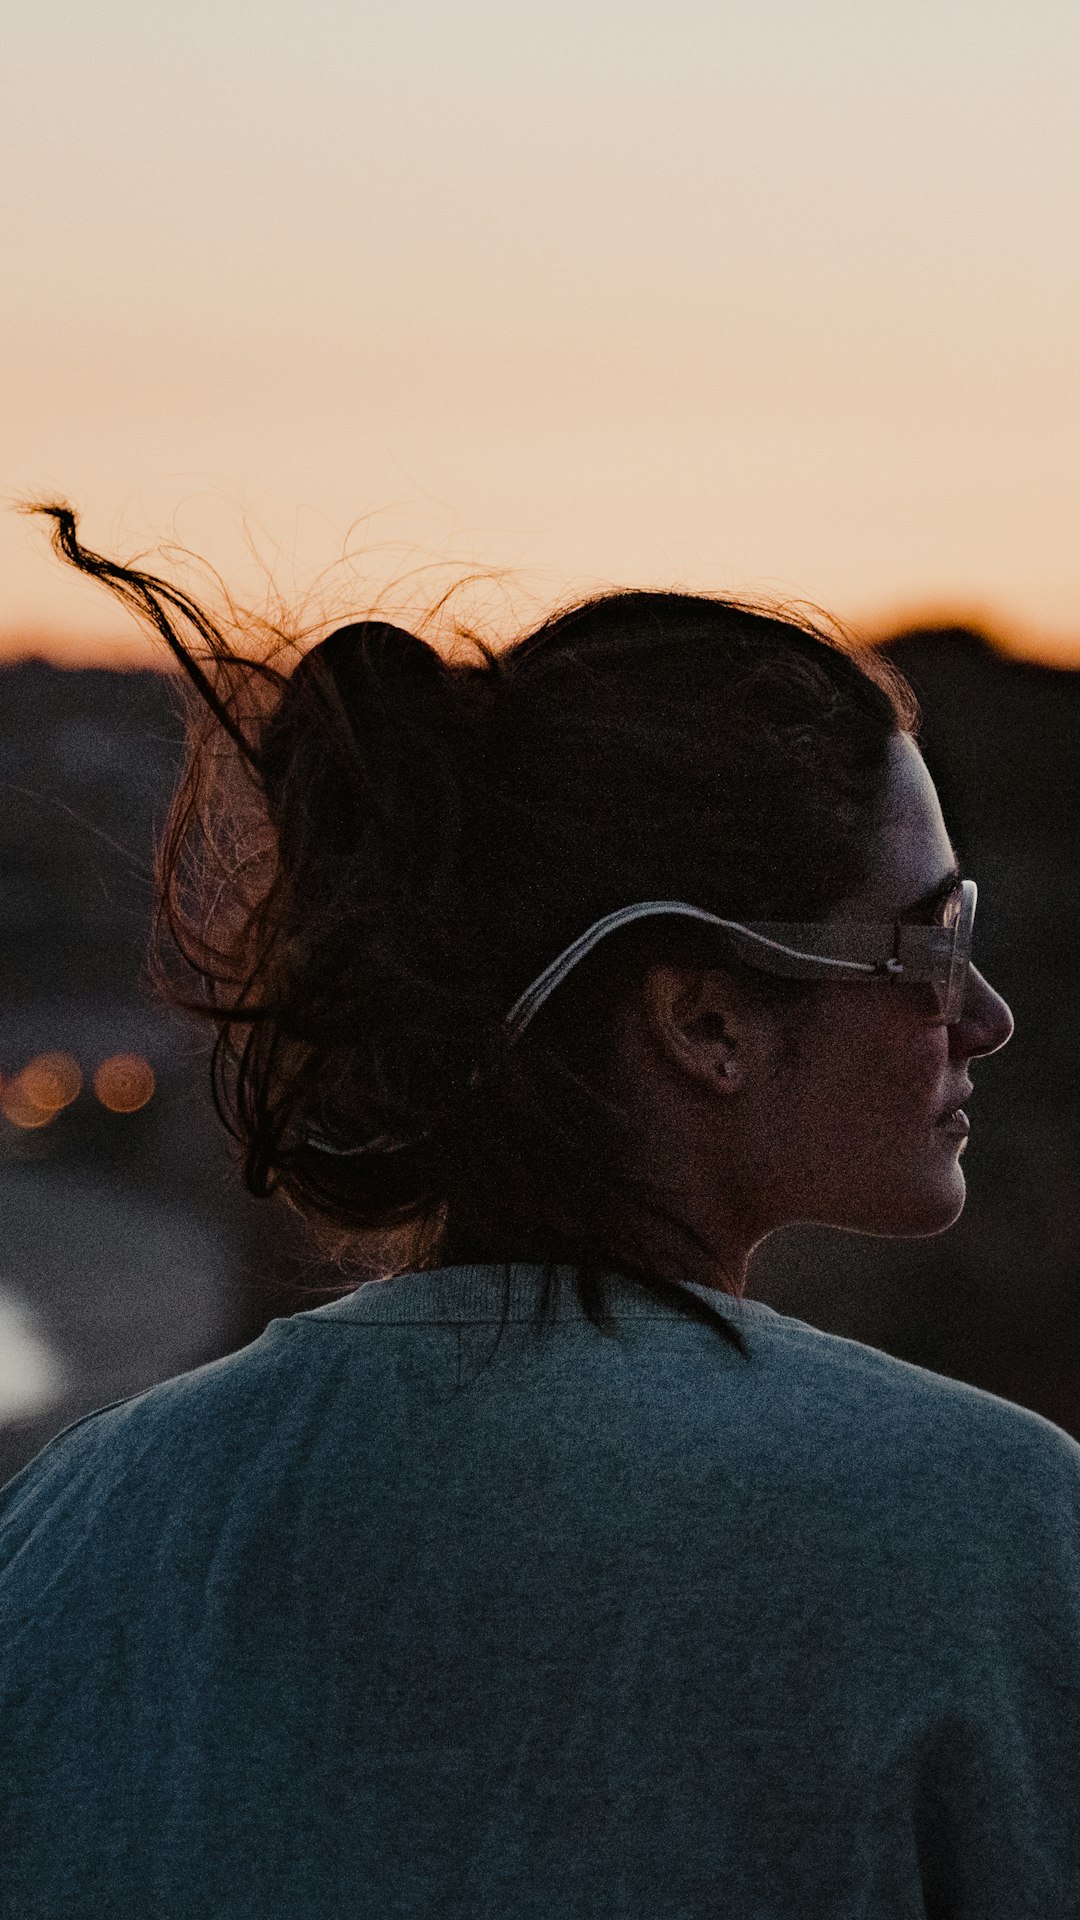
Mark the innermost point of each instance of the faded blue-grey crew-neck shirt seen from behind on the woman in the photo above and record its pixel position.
(612, 1629)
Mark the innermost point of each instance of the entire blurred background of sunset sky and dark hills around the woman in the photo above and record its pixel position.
(364, 302)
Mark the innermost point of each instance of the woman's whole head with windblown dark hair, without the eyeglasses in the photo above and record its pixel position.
(426, 834)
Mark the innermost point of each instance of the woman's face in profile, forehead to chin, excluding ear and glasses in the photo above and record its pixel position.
(858, 1141)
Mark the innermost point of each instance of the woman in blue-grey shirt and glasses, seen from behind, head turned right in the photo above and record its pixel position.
(583, 967)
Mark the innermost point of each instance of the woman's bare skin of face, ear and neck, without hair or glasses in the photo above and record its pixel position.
(829, 1113)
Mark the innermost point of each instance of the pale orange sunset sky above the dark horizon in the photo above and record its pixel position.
(770, 299)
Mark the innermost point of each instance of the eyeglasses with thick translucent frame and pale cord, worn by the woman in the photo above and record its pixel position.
(854, 949)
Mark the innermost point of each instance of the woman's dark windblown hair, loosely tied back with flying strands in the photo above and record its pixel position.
(391, 844)
